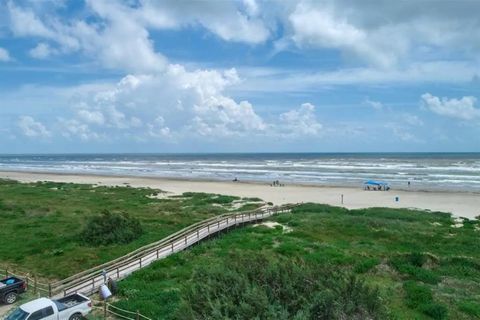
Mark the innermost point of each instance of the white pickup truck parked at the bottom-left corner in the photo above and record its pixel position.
(72, 307)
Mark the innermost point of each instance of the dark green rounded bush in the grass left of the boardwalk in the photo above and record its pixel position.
(111, 228)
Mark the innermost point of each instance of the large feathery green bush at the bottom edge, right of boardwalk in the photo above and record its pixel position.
(262, 287)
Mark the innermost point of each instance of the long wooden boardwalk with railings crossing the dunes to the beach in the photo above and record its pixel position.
(89, 281)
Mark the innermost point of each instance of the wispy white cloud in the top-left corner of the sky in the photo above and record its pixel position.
(119, 42)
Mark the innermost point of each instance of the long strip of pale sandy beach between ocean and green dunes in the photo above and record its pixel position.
(461, 204)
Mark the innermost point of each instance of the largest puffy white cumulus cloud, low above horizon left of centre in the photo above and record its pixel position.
(176, 103)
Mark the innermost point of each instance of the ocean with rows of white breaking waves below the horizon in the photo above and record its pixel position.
(425, 171)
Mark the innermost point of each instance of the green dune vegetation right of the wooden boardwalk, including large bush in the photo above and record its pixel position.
(333, 264)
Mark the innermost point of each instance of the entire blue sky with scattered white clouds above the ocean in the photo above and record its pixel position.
(239, 76)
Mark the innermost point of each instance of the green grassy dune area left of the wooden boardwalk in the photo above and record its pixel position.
(41, 222)
